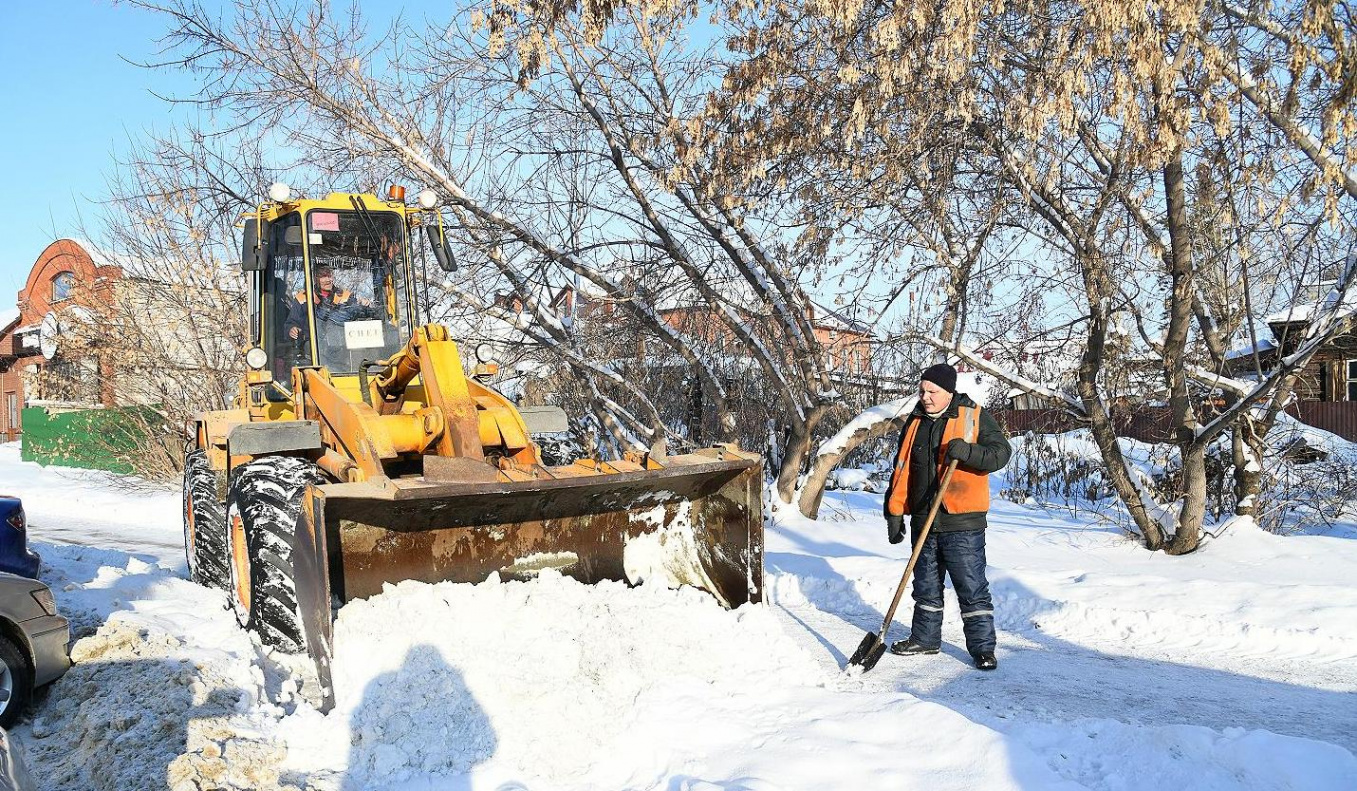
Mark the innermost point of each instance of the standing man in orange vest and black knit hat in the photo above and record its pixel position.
(948, 427)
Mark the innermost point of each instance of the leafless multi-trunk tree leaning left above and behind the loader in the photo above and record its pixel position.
(656, 230)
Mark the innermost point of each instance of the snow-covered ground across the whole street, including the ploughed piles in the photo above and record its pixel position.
(1119, 670)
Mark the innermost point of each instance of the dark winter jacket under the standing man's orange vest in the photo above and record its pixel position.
(989, 454)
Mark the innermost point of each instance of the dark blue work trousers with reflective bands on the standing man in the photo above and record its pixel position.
(961, 554)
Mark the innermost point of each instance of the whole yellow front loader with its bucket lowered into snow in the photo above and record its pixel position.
(360, 452)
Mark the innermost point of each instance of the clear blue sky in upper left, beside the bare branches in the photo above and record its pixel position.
(71, 107)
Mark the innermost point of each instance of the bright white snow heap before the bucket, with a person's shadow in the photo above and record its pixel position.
(432, 680)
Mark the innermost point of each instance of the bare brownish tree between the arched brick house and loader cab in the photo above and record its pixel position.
(168, 334)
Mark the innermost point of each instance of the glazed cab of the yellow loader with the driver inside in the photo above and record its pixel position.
(335, 290)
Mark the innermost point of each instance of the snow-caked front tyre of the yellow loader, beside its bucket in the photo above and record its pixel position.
(264, 511)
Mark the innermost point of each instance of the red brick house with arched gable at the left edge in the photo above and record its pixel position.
(63, 279)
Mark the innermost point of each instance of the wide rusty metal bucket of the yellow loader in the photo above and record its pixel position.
(698, 522)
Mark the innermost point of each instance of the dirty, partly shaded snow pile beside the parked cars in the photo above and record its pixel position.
(165, 691)
